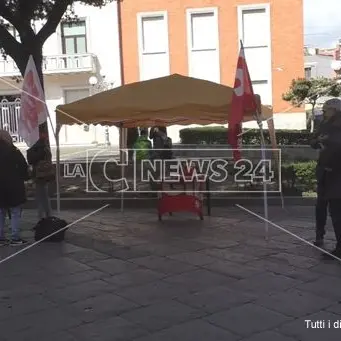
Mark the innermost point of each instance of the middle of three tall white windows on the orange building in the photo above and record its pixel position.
(203, 44)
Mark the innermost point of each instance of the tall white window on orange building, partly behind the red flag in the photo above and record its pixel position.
(254, 31)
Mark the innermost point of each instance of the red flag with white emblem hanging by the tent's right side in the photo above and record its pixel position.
(243, 102)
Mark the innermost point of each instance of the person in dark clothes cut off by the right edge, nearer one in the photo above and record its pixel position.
(330, 161)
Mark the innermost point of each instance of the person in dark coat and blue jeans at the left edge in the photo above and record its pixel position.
(13, 174)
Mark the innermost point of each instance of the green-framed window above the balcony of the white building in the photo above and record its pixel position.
(74, 37)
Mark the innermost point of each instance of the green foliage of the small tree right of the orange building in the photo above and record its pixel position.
(308, 91)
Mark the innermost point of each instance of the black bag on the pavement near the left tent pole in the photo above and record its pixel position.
(47, 226)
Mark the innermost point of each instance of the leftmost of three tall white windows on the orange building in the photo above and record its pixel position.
(153, 45)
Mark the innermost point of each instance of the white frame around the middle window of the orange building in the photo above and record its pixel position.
(201, 10)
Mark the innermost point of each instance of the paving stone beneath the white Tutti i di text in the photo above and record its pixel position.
(298, 328)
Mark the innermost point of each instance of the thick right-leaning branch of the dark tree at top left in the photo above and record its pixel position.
(53, 20)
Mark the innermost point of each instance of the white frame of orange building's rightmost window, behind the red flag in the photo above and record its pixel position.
(264, 6)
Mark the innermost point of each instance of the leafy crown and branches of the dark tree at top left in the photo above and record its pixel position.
(22, 14)
